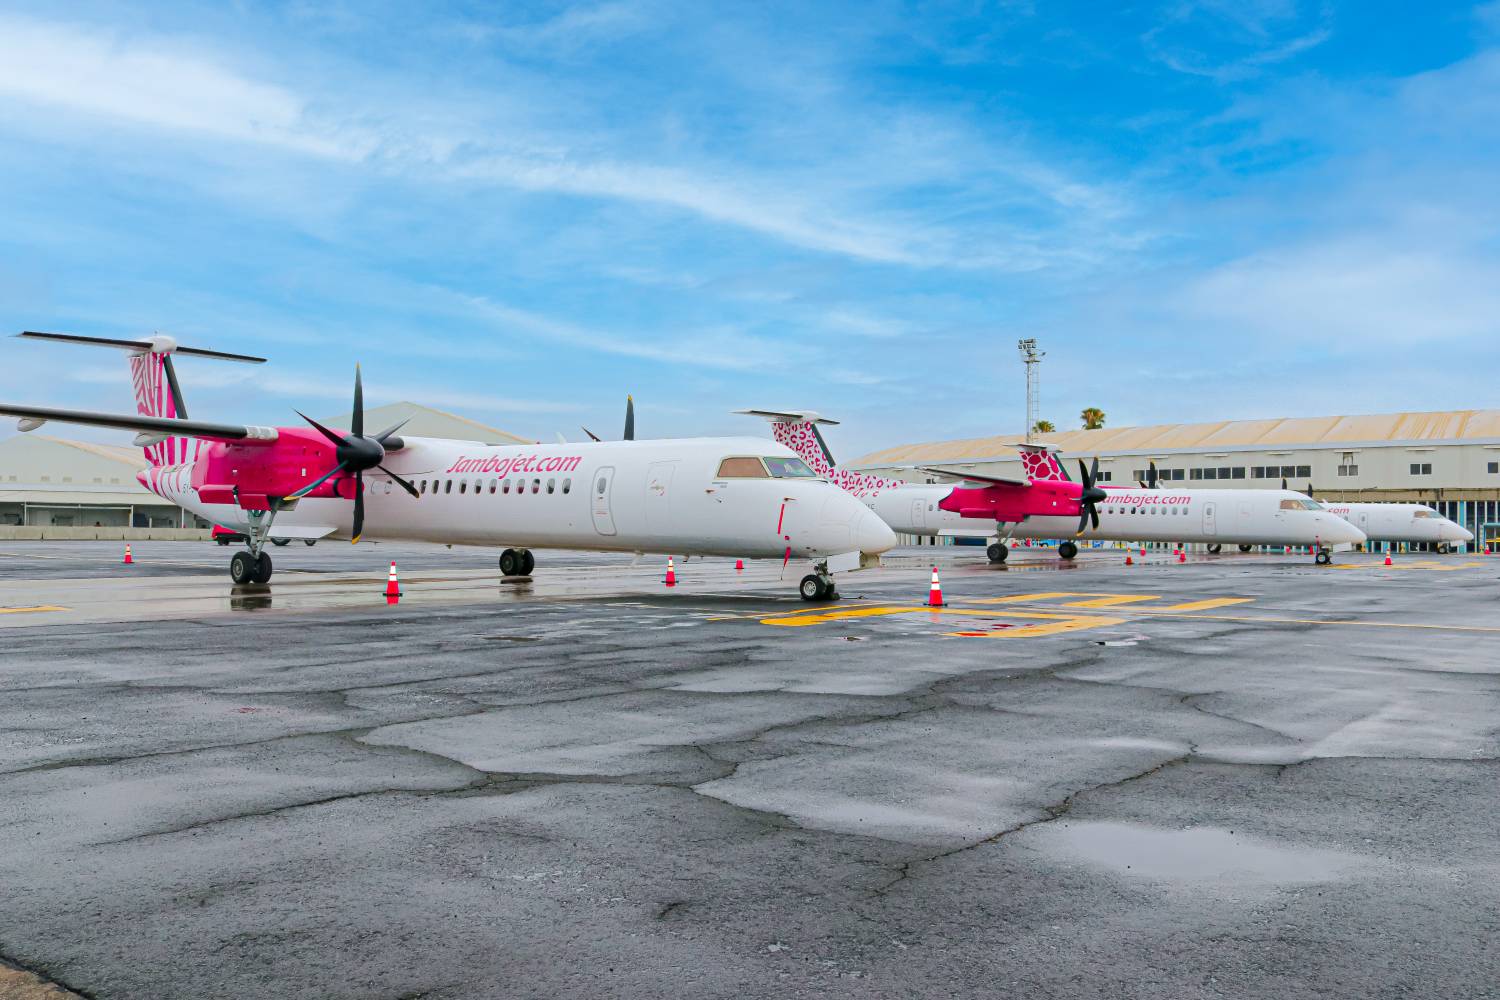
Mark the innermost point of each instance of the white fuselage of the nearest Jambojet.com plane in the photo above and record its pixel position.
(664, 497)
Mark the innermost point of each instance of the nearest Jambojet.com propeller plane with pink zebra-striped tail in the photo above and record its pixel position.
(724, 497)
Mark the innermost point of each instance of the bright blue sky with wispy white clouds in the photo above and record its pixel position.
(521, 212)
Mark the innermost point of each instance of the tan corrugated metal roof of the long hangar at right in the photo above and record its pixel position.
(1453, 425)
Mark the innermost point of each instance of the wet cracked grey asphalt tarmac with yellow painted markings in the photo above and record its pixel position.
(1240, 777)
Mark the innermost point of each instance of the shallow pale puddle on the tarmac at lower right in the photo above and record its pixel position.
(1196, 855)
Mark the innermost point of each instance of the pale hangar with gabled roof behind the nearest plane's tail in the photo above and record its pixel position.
(50, 482)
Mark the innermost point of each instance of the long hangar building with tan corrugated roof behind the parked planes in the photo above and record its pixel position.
(1450, 460)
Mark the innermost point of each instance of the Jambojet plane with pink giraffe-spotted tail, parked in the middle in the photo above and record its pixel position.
(1048, 504)
